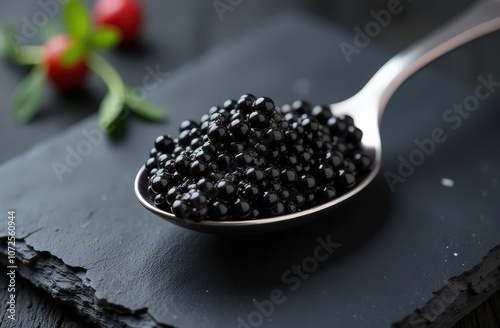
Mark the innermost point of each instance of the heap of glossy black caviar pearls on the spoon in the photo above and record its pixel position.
(249, 159)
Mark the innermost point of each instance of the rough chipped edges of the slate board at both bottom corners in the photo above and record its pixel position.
(71, 286)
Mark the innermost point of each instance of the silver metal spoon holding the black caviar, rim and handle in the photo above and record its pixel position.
(366, 108)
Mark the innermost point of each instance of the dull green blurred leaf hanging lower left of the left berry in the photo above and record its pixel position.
(28, 95)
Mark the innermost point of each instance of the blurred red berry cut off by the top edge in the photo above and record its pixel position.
(126, 15)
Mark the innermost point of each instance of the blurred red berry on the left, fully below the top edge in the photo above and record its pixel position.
(65, 78)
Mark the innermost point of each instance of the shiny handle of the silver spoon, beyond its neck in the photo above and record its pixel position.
(481, 18)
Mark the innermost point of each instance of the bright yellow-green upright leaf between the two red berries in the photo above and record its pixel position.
(77, 20)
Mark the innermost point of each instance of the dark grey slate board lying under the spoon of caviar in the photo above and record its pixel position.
(89, 242)
